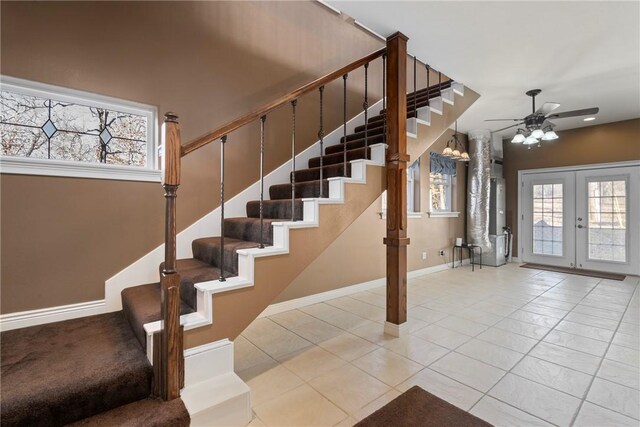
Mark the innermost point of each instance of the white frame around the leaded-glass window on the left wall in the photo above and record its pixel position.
(62, 168)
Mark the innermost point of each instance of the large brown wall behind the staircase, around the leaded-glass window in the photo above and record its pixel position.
(209, 62)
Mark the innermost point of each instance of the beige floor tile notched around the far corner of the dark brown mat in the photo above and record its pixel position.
(445, 388)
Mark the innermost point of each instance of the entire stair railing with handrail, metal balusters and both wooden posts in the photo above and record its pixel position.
(168, 359)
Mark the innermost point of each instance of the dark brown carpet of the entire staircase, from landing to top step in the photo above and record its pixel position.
(94, 371)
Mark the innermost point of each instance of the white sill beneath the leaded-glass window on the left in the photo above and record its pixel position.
(44, 167)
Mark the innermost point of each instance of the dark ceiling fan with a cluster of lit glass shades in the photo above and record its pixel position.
(537, 125)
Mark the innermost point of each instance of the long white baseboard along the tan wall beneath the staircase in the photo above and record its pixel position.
(292, 304)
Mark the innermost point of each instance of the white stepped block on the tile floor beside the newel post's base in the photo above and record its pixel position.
(214, 395)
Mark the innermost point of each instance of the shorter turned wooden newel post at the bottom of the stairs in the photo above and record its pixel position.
(169, 366)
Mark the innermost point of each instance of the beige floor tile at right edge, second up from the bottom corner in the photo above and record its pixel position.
(616, 397)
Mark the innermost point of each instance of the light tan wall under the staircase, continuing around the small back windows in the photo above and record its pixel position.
(358, 255)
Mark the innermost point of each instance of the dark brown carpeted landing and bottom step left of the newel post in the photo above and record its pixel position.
(81, 369)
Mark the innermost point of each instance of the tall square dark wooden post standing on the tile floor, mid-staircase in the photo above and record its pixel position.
(397, 158)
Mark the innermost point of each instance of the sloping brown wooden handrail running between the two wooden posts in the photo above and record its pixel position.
(265, 109)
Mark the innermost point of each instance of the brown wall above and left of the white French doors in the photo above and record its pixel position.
(612, 142)
